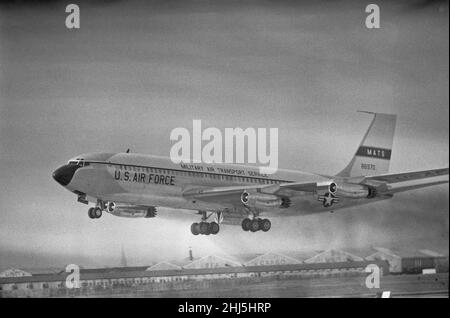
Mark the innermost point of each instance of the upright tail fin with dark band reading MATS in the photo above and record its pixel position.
(374, 152)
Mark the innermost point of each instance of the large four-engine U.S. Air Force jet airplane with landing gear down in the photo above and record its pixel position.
(136, 185)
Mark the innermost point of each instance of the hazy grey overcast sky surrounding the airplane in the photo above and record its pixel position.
(136, 69)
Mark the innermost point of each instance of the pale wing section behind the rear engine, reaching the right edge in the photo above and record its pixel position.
(399, 182)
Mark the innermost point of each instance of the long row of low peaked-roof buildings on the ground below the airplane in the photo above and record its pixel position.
(213, 271)
